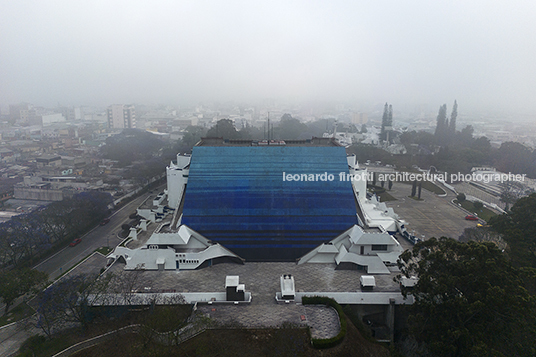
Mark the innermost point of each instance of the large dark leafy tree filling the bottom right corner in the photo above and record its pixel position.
(469, 300)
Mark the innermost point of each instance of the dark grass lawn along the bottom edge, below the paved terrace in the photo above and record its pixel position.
(241, 342)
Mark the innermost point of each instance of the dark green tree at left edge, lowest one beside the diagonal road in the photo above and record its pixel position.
(18, 282)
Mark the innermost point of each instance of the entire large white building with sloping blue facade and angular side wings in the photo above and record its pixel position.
(240, 200)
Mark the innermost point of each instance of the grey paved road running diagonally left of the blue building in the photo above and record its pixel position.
(100, 236)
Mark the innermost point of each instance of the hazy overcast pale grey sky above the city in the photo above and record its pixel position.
(482, 53)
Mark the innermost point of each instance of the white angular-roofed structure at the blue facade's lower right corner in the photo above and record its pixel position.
(358, 249)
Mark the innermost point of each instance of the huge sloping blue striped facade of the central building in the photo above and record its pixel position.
(237, 196)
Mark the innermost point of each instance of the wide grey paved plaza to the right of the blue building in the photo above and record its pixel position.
(435, 216)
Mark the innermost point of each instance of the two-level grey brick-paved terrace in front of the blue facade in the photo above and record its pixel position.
(262, 280)
